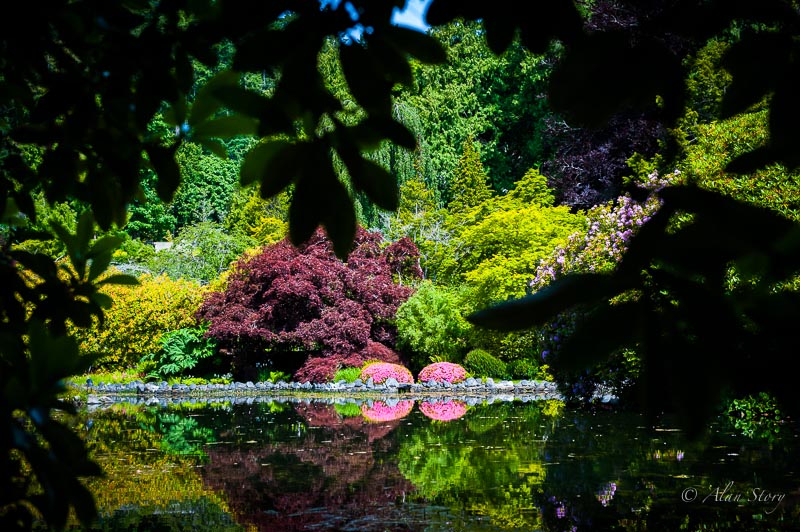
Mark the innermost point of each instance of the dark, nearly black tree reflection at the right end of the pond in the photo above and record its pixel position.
(609, 471)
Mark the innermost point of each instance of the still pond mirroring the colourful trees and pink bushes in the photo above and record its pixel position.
(434, 465)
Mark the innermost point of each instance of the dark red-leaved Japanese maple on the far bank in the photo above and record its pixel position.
(303, 310)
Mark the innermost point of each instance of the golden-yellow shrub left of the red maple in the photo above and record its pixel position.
(139, 316)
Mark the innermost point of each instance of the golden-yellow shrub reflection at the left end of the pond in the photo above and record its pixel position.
(142, 489)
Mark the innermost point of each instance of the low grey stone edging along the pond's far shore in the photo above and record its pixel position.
(471, 391)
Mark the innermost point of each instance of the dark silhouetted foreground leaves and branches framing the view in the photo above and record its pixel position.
(82, 80)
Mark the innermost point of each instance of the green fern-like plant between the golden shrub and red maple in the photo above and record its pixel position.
(185, 352)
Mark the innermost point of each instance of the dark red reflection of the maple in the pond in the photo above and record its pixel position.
(283, 485)
